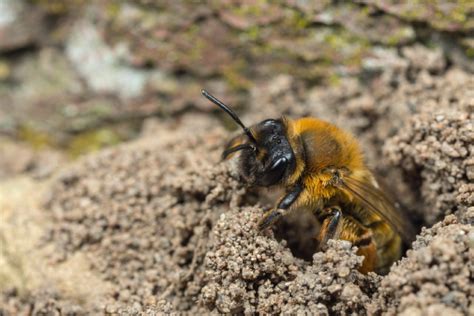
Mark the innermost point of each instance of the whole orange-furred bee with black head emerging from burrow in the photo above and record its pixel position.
(321, 168)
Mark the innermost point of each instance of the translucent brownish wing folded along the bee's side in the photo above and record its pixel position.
(376, 201)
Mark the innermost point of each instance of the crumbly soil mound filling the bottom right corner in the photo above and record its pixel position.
(435, 278)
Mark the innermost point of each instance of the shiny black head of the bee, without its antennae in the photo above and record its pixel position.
(273, 159)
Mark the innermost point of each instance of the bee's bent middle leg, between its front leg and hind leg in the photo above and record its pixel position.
(331, 218)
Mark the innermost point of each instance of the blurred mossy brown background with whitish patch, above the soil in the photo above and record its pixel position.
(78, 75)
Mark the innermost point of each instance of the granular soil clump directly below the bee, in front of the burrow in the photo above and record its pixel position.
(248, 272)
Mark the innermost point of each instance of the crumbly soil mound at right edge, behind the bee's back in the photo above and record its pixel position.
(436, 144)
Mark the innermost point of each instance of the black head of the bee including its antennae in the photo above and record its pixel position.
(266, 155)
